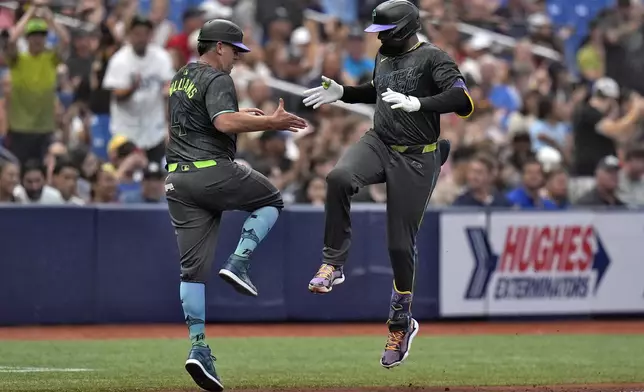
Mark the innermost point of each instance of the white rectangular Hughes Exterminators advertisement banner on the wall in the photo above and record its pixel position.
(542, 263)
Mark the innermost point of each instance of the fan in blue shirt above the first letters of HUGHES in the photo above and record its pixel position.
(527, 196)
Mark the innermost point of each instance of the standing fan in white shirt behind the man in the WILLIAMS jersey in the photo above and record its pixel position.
(138, 75)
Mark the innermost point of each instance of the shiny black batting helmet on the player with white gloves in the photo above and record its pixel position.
(395, 19)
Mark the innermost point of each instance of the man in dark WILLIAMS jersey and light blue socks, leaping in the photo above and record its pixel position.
(204, 181)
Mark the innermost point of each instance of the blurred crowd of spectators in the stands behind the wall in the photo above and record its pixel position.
(558, 118)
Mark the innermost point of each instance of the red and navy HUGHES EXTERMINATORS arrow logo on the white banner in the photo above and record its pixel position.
(537, 261)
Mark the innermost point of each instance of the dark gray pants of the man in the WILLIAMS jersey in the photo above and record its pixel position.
(196, 200)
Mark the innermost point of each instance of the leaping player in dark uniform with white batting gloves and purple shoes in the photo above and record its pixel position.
(413, 83)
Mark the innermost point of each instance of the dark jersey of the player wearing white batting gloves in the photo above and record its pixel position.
(421, 72)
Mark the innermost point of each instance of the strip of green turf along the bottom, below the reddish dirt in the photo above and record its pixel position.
(130, 365)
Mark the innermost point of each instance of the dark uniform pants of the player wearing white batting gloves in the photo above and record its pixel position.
(410, 176)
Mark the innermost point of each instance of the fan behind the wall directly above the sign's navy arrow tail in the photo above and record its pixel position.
(480, 189)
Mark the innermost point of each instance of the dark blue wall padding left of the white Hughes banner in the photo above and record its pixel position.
(113, 265)
